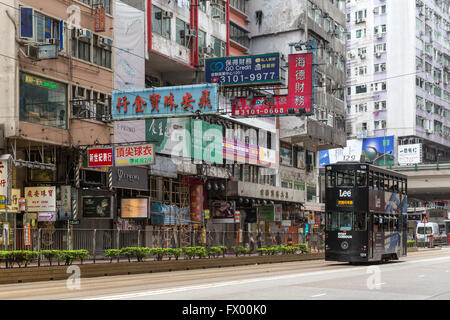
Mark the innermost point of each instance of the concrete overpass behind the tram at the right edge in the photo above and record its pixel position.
(427, 182)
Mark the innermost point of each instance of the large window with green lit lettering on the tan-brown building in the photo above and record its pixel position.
(43, 101)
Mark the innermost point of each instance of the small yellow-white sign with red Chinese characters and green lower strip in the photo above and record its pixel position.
(135, 155)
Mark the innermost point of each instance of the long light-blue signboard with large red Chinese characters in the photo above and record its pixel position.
(165, 102)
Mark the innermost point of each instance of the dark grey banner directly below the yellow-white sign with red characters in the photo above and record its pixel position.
(130, 178)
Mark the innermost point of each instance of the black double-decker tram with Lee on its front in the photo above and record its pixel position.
(366, 213)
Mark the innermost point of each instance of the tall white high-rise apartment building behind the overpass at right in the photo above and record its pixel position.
(397, 73)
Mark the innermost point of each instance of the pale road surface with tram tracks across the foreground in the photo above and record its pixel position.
(420, 275)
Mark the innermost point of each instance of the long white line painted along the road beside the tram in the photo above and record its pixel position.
(242, 282)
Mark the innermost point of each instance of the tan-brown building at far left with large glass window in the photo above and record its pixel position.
(56, 82)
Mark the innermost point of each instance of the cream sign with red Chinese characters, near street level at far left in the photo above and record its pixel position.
(41, 199)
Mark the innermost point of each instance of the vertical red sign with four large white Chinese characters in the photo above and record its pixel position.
(301, 82)
